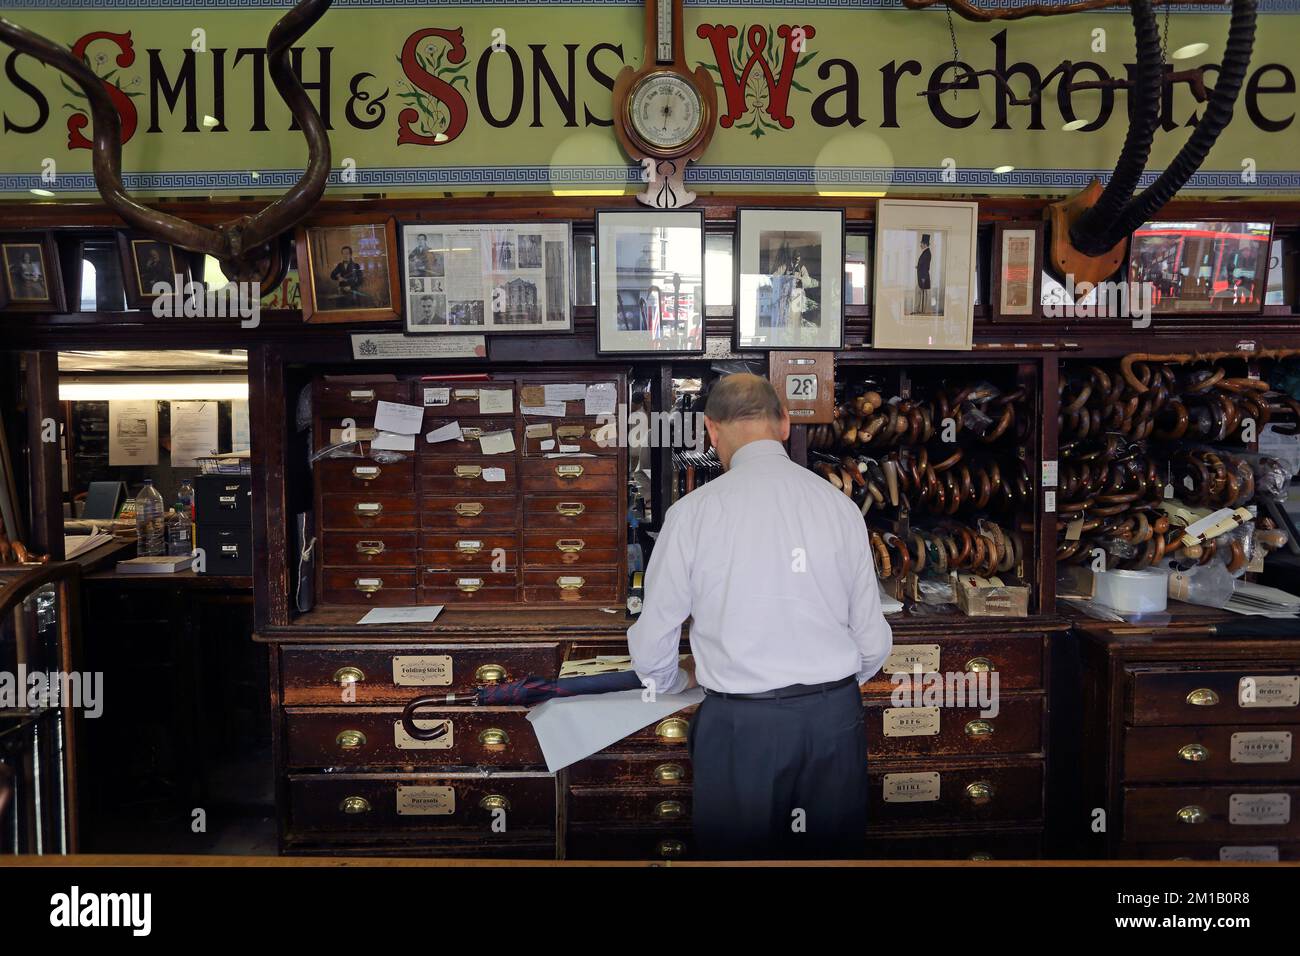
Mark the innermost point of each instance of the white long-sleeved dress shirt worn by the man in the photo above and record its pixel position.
(774, 568)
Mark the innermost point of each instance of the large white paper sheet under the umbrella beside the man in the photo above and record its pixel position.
(573, 729)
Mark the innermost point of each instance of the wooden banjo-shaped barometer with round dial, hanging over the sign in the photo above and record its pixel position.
(664, 113)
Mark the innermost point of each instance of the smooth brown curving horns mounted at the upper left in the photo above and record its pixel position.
(249, 248)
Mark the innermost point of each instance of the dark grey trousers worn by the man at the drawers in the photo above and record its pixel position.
(781, 780)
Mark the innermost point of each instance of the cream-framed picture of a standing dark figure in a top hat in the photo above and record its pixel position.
(925, 280)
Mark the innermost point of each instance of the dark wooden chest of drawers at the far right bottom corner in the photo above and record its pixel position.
(1191, 746)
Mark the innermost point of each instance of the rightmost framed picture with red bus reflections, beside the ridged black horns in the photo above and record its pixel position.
(1203, 267)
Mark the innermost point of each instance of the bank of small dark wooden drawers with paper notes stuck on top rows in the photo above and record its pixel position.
(453, 526)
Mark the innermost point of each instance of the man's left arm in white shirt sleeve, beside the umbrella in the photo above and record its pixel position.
(656, 638)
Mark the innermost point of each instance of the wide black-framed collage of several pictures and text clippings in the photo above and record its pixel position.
(488, 278)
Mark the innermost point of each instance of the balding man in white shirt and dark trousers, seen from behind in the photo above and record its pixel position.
(774, 569)
